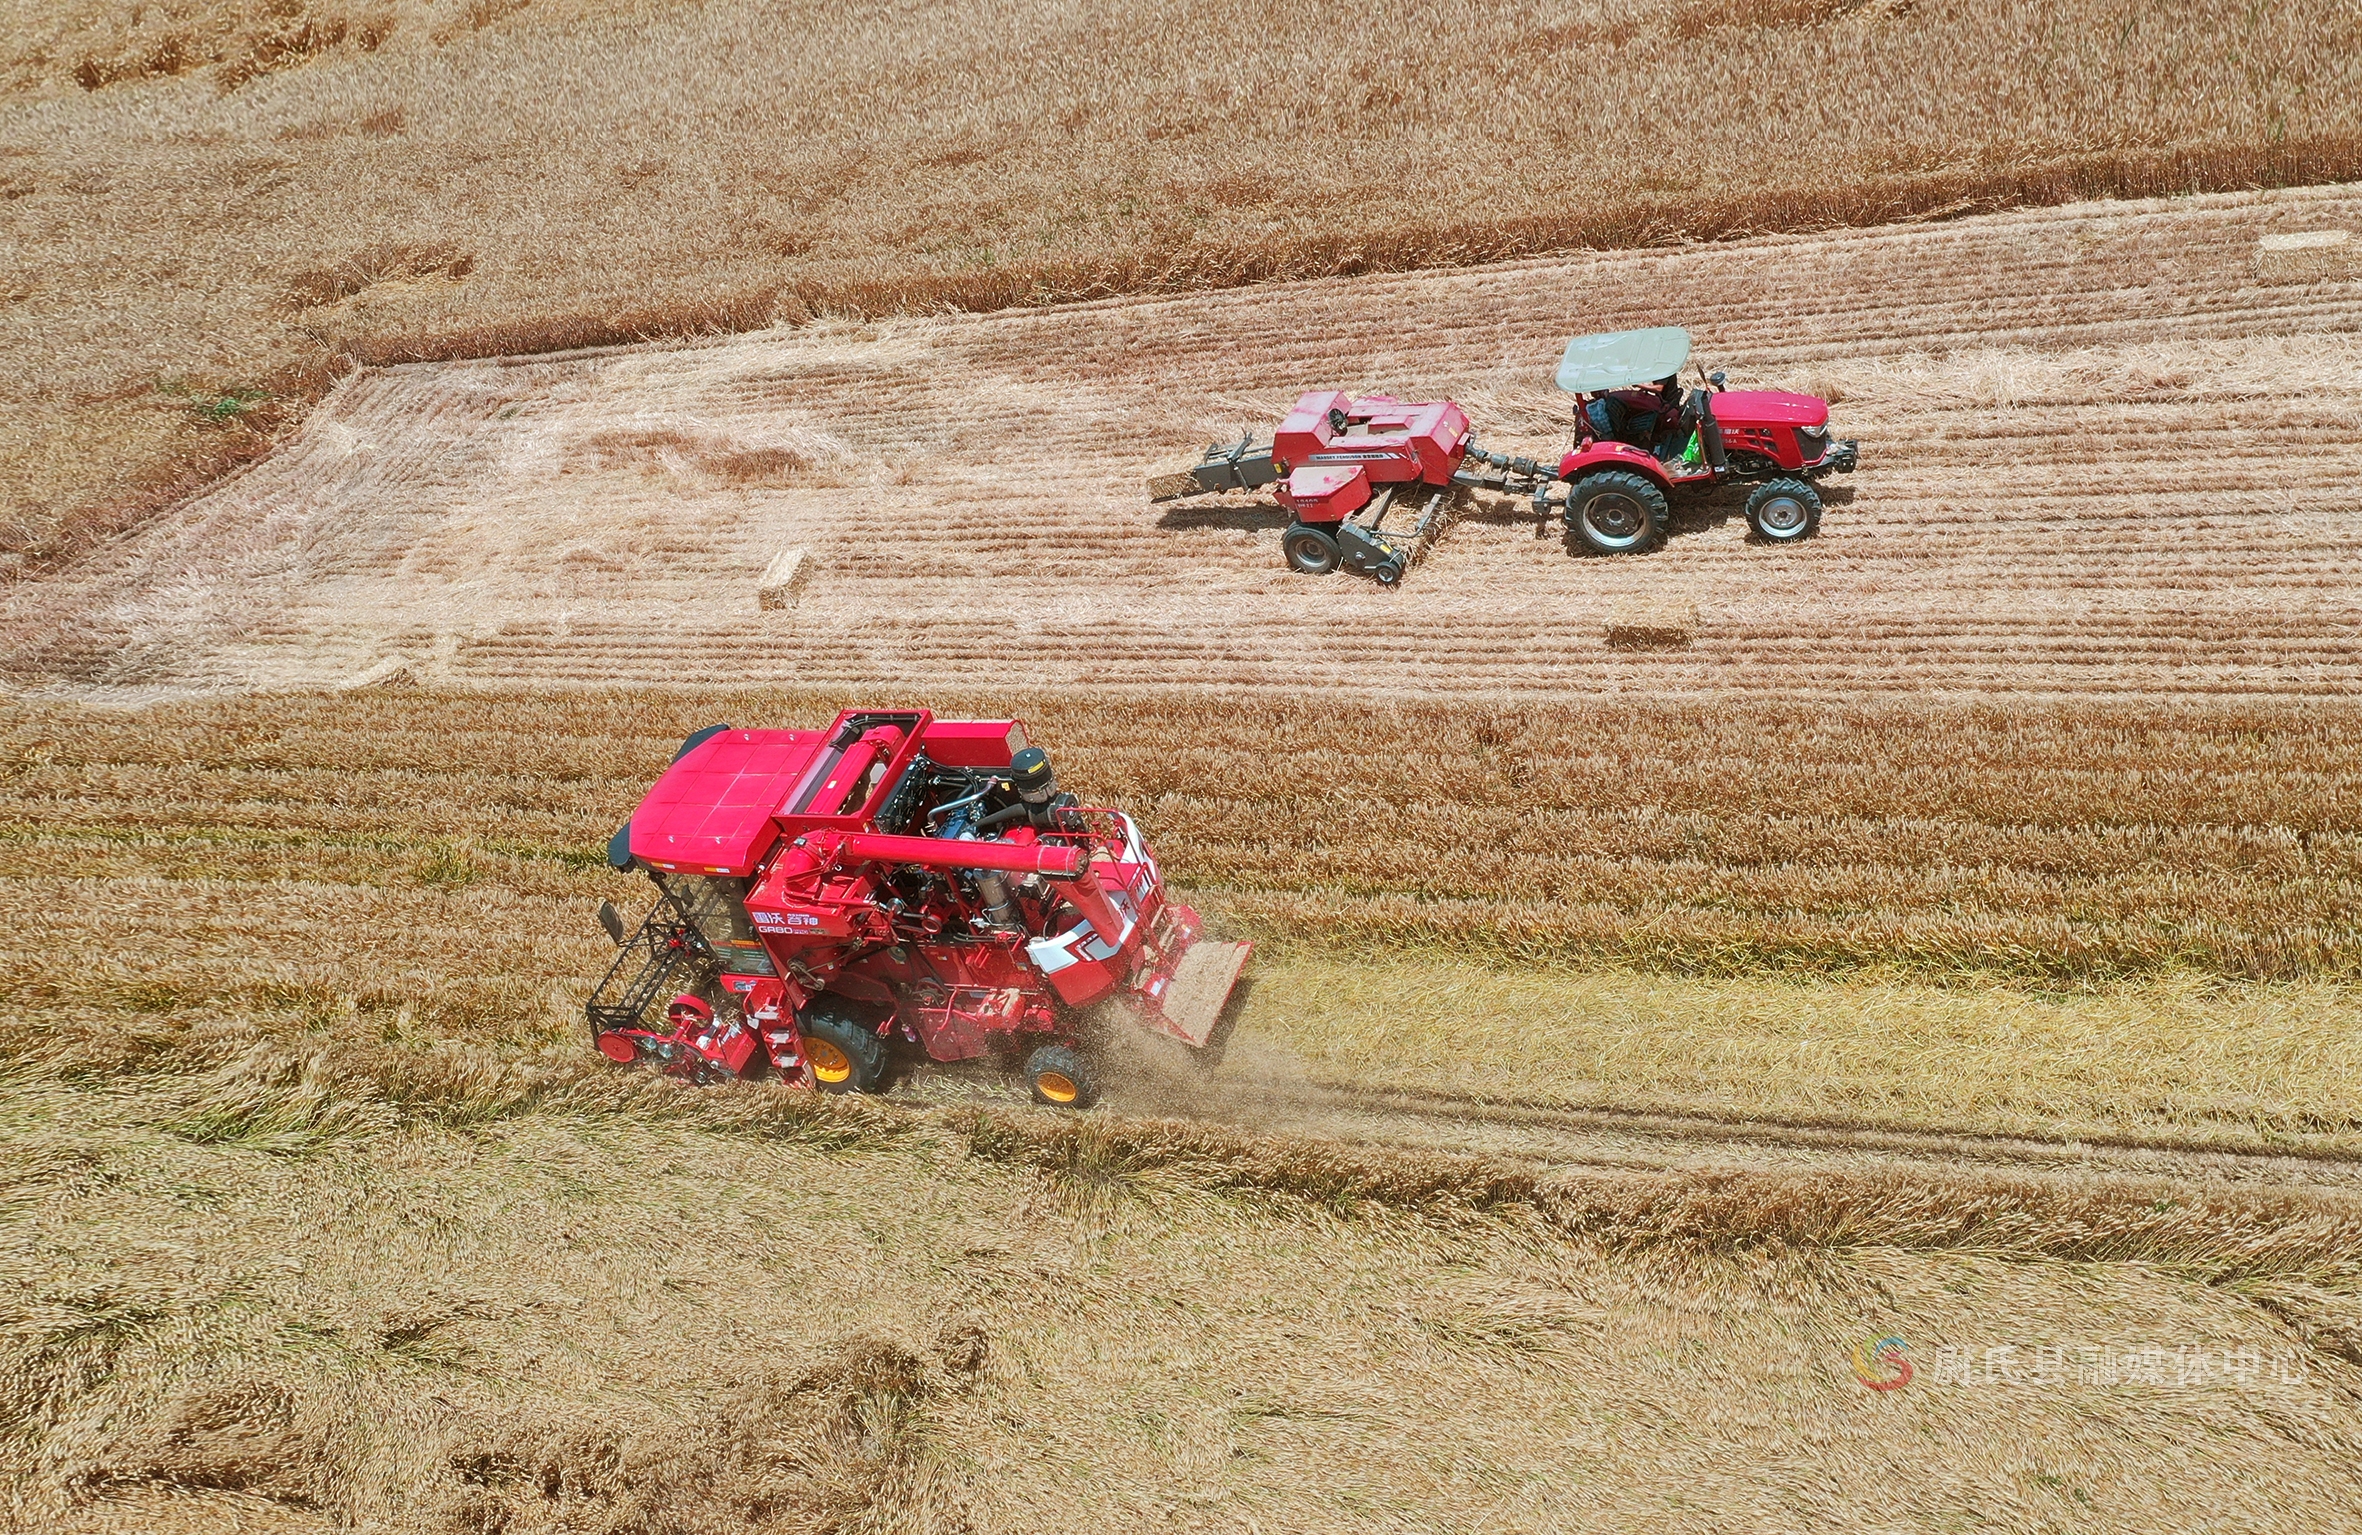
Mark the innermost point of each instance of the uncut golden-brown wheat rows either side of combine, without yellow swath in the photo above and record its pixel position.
(2049, 844)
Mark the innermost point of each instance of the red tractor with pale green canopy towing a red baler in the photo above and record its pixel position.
(1640, 438)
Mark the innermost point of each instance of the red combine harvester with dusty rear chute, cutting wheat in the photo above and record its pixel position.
(894, 887)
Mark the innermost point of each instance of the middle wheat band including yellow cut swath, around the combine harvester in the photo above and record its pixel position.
(2134, 925)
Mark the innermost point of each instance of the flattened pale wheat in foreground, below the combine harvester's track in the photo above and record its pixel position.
(294, 1288)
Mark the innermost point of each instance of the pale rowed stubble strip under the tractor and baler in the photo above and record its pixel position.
(2099, 459)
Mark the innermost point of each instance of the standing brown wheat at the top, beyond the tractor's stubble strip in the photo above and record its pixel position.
(214, 200)
